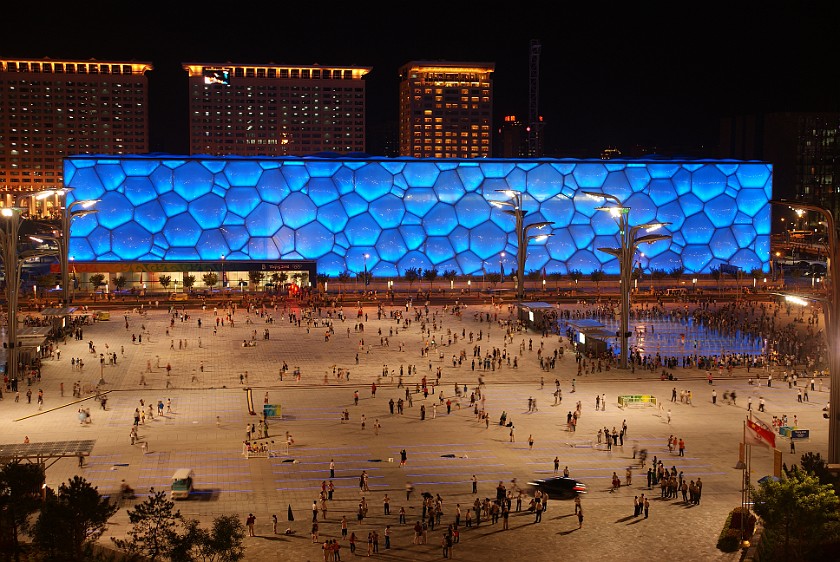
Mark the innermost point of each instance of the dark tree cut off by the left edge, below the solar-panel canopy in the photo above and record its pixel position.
(20, 497)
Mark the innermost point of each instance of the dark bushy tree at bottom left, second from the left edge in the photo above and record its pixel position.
(72, 519)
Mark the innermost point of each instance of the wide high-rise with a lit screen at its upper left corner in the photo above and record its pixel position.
(271, 110)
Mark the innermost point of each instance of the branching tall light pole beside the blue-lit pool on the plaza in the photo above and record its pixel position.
(629, 243)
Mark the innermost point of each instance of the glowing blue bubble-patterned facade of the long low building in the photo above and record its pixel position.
(406, 213)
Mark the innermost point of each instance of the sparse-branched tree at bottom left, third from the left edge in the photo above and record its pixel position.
(154, 528)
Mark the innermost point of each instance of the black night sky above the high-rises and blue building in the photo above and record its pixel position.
(648, 73)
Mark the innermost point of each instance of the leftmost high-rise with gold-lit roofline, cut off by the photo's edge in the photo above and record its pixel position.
(50, 109)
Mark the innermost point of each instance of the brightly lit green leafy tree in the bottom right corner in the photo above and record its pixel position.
(798, 508)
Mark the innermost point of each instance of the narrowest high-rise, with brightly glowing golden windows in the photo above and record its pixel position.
(446, 109)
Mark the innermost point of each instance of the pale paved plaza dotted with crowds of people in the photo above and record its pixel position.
(205, 430)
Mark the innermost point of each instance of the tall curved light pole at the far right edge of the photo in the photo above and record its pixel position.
(831, 312)
